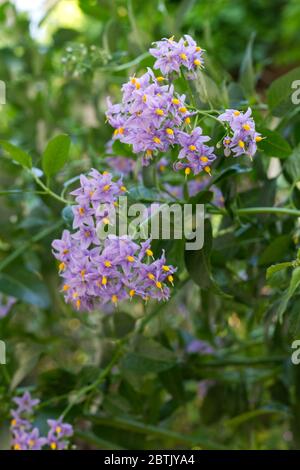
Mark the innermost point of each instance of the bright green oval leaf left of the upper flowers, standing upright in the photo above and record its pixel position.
(56, 154)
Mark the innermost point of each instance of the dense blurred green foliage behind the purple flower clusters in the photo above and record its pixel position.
(153, 397)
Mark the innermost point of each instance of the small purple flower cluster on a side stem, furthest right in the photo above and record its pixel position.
(242, 137)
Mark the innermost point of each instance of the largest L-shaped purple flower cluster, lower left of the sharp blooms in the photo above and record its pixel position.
(117, 268)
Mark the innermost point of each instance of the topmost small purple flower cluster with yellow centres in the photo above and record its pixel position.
(171, 55)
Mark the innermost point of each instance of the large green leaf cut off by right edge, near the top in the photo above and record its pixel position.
(279, 94)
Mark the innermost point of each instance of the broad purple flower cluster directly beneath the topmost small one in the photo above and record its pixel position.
(150, 119)
